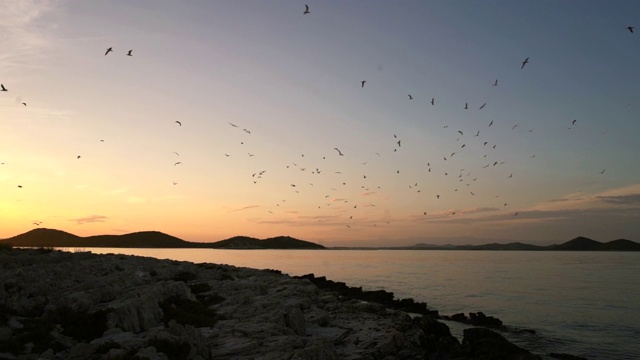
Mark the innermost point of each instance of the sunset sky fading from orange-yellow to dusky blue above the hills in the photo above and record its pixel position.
(229, 118)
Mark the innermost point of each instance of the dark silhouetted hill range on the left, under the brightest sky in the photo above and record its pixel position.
(149, 239)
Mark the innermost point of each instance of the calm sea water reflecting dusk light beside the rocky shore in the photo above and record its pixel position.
(582, 303)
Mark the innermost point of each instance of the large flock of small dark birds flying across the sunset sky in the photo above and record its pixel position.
(464, 178)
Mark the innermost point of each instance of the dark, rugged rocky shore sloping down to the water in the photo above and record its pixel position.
(62, 305)
